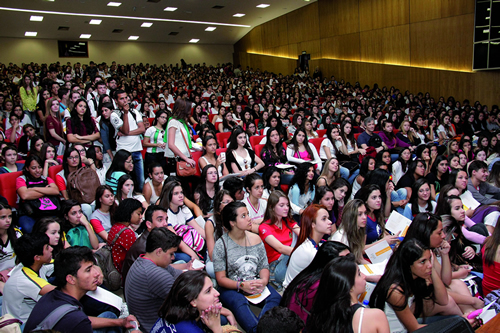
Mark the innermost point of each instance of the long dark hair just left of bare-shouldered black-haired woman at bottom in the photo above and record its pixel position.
(301, 284)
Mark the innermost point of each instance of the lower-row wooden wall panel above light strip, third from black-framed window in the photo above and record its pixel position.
(345, 47)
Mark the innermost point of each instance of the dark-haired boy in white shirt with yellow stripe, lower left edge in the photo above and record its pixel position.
(28, 280)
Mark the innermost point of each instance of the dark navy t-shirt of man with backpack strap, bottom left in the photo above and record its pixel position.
(73, 322)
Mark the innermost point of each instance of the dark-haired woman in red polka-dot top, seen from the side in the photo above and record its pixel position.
(130, 213)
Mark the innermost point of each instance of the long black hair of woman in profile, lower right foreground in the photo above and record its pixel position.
(398, 274)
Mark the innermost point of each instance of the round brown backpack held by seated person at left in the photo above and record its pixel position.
(83, 184)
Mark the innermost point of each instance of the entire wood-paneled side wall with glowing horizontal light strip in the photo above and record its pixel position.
(416, 45)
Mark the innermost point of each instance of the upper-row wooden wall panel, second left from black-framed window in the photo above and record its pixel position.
(383, 13)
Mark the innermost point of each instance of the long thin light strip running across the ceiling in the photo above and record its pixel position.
(154, 19)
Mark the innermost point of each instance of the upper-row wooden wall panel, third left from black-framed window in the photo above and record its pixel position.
(339, 17)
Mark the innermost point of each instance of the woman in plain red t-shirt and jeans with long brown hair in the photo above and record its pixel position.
(277, 234)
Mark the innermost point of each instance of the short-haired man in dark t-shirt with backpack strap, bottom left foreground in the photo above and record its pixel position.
(75, 275)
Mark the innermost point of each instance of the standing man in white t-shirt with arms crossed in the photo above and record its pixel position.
(129, 126)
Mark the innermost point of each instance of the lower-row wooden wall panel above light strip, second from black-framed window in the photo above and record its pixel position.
(389, 45)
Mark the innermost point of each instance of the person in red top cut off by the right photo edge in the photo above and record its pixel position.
(491, 262)
